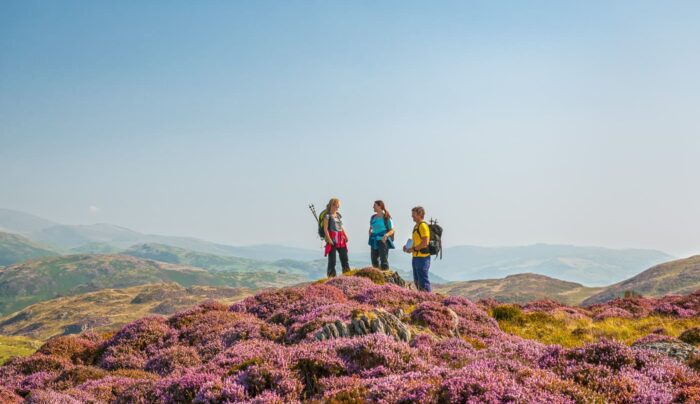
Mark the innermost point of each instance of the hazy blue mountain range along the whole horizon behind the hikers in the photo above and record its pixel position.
(590, 266)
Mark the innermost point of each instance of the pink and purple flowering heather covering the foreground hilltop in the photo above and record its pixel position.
(300, 344)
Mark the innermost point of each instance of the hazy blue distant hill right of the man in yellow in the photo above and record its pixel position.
(591, 266)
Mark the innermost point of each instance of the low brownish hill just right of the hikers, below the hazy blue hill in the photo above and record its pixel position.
(520, 288)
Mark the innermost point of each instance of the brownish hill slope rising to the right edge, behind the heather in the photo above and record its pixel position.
(677, 277)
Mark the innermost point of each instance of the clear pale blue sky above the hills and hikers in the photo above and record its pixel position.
(512, 122)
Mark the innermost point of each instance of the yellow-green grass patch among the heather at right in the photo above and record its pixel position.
(564, 330)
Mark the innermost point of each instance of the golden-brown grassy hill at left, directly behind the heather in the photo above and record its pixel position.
(110, 308)
